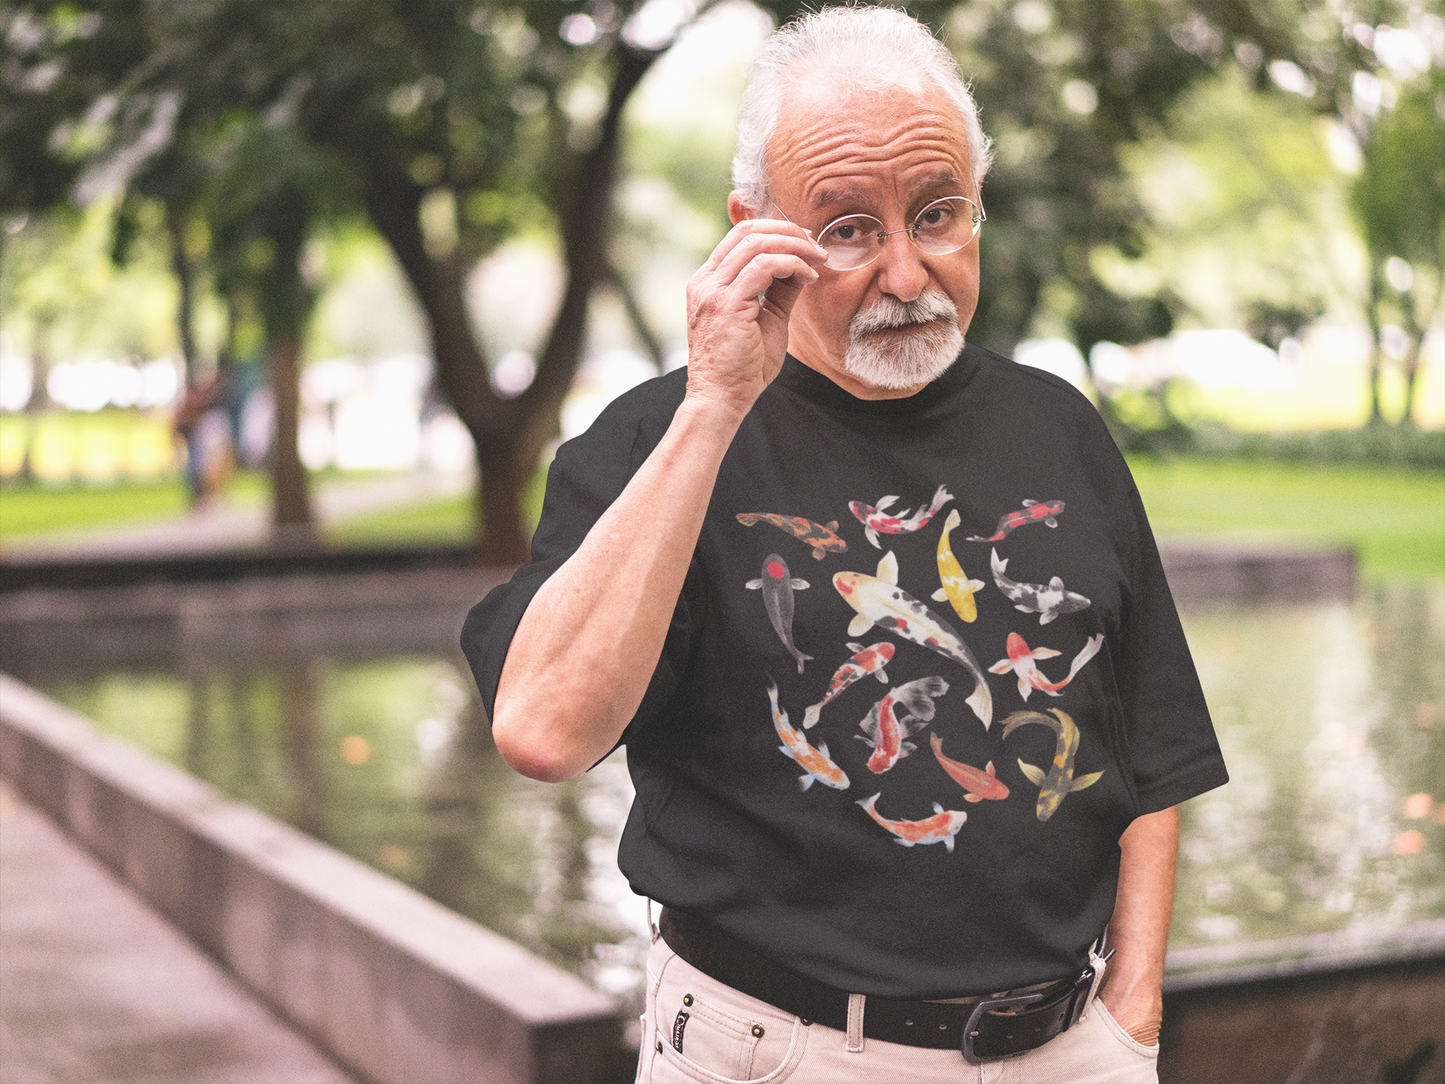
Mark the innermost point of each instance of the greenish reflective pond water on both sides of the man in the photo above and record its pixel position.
(1332, 716)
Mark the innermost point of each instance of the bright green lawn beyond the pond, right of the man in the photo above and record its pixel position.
(1395, 520)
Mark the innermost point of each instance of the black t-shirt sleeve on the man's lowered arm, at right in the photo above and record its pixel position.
(1173, 747)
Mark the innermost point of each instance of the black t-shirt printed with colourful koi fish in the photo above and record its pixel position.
(836, 760)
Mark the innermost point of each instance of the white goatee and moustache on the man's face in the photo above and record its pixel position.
(901, 362)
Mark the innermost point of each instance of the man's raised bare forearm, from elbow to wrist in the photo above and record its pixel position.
(590, 641)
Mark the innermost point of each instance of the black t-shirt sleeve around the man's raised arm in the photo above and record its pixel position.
(586, 478)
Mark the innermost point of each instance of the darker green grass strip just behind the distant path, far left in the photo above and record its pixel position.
(40, 509)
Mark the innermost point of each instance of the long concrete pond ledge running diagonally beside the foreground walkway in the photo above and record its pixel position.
(391, 984)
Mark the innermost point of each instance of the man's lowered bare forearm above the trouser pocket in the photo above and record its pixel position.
(1139, 930)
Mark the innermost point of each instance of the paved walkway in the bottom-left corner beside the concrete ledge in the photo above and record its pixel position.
(98, 989)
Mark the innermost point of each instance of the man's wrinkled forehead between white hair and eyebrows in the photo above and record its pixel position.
(837, 142)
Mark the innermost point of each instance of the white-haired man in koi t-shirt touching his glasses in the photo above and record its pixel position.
(881, 622)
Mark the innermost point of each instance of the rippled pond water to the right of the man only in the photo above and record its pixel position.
(1333, 723)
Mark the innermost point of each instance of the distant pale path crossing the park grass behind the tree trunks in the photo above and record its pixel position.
(230, 528)
